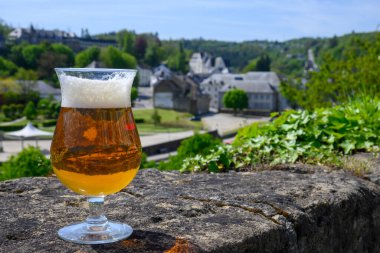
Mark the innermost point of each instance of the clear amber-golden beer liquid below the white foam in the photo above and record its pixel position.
(96, 151)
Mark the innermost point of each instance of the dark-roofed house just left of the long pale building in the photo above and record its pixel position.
(180, 93)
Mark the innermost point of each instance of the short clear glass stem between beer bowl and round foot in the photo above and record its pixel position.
(96, 221)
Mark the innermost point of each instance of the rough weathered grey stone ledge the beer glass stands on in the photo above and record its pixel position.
(293, 210)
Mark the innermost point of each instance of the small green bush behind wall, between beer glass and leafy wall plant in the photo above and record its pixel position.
(198, 144)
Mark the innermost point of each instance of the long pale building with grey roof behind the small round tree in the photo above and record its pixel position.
(262, 89)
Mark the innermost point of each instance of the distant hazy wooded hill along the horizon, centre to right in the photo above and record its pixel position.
(288, 58)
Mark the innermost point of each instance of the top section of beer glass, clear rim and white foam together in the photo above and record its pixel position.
(96, 88)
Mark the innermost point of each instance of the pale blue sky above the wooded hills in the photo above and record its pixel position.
(228, 20)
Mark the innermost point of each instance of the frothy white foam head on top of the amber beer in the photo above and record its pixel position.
(86, 93)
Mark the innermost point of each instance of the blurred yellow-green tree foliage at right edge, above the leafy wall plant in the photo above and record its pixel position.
(357, 71)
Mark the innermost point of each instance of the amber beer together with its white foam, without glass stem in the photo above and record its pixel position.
(96, 150)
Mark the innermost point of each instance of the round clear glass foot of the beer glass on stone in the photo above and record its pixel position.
(82, 233)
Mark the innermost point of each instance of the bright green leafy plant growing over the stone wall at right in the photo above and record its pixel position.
(322, 136)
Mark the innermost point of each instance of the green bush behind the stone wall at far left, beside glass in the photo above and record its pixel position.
(29, 162)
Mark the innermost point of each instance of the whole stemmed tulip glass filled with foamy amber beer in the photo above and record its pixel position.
(96, 150)
